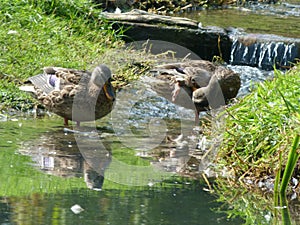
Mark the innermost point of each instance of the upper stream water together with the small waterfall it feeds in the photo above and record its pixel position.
(263, 36)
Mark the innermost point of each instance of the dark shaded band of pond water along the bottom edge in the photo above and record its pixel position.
(148, 206)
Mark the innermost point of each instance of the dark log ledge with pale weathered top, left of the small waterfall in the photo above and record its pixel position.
(206, 42)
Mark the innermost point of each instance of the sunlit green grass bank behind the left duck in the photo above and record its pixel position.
(34, 34)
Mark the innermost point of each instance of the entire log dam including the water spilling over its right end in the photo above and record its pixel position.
(238, 48)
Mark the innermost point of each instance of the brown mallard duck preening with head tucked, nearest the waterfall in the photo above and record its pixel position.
(205, 85)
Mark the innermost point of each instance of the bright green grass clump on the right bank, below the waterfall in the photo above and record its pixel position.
(261, 127)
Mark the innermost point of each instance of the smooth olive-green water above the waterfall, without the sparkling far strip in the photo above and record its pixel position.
(250, 21)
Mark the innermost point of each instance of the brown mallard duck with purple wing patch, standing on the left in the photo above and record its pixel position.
(76, 95)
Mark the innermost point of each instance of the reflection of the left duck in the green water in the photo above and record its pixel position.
(59, 155)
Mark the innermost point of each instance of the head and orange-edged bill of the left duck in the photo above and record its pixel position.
(101, 76)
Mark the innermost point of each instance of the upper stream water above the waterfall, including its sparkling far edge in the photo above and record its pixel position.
(283, 19)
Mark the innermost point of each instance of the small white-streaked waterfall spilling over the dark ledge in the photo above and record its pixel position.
(264, 51)
